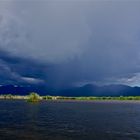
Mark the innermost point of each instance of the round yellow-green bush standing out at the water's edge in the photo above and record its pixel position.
(33, 97)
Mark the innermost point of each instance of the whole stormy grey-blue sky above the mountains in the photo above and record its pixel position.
(63, 43)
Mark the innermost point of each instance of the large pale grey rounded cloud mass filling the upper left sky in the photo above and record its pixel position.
(56, 30)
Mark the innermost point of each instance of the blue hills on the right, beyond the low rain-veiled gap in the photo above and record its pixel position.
(109, 90)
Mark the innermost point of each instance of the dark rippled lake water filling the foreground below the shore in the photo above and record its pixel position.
(70, 120)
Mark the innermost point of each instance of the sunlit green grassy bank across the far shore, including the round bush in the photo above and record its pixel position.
(34, 97)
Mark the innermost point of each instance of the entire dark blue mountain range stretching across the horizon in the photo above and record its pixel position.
(87, 90)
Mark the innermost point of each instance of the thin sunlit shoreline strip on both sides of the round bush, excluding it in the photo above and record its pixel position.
(64, 98)
